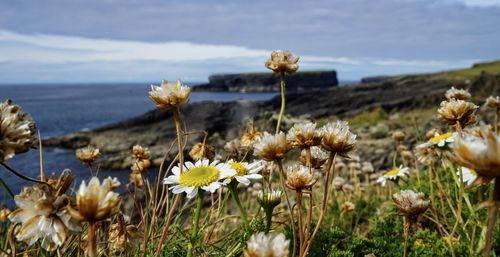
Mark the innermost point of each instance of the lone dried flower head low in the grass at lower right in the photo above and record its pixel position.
(410, 203)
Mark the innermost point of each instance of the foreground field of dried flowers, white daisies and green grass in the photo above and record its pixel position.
(292, 192)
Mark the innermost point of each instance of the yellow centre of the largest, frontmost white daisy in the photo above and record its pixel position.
(199, 176)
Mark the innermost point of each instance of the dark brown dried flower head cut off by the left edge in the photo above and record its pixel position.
(17, 130)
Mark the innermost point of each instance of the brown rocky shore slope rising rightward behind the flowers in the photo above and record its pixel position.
(226, 121)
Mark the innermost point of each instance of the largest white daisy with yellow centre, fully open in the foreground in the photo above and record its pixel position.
(202, 174)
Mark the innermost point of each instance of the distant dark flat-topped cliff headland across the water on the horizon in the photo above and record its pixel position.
(269, 82)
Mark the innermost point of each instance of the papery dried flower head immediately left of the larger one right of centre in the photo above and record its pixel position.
(304, 135)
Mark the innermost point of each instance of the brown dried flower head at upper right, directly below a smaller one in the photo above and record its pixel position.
(458, 112)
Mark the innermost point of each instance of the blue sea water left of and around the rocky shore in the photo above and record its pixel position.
(61, 109)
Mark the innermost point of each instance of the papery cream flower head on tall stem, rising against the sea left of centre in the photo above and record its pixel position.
(169, 95)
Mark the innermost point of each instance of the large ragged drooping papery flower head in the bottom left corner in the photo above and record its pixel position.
(43, 215)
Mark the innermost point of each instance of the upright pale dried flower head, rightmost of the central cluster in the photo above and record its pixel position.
(337, 138)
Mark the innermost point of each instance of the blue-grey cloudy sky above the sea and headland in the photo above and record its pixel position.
(70, 41)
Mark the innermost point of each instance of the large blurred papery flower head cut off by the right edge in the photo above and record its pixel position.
(481, 154)
